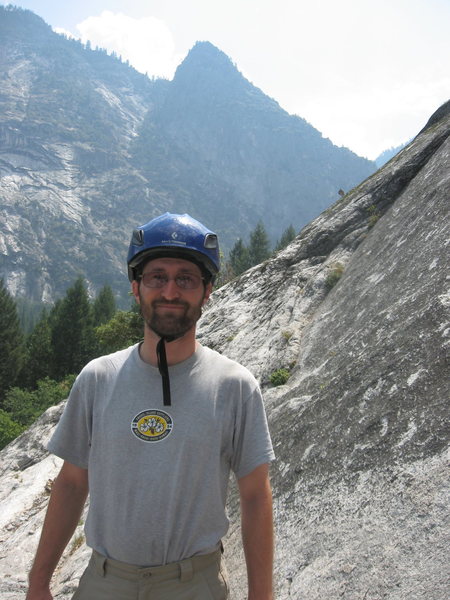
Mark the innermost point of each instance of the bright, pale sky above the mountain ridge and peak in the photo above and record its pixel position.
(366, 73)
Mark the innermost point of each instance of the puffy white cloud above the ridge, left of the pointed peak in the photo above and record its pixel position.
(146, 43)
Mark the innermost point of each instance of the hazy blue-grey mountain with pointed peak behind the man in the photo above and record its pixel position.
(89, 148)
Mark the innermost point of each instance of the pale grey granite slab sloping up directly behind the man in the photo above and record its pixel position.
(360, 428)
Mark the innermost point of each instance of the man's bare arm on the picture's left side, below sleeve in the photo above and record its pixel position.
(67, 499)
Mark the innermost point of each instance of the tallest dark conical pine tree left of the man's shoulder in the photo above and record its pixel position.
(73, 338)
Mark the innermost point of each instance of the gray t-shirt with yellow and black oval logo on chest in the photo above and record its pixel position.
(158, 475)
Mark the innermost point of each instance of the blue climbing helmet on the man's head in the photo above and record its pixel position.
(174, 236)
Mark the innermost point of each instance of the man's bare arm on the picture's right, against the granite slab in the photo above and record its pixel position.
(257, 531)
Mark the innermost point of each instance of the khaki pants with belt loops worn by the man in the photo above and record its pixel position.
(197, 578)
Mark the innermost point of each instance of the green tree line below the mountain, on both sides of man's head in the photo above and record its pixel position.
(37, 368)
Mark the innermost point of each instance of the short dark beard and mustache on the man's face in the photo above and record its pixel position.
(170, 324)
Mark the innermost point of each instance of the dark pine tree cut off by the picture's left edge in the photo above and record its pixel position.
(11, 342)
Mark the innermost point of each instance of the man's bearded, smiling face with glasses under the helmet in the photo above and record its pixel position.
(171, 311)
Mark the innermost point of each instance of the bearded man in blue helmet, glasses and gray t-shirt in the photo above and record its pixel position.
(152, 432)
